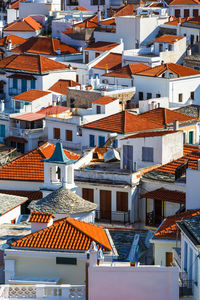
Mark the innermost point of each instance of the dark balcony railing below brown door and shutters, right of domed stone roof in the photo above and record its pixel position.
(113, 216)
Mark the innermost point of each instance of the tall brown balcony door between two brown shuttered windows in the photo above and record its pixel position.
(105, 204)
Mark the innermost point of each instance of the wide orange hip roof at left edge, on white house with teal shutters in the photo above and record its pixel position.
(35, 64)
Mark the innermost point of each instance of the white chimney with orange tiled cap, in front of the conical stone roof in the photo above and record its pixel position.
(40, 221)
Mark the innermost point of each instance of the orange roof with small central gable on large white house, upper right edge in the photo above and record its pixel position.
(178, 70)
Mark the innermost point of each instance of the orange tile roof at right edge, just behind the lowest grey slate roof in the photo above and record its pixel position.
(168, 229)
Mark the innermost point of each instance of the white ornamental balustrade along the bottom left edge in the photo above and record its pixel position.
(59, 292)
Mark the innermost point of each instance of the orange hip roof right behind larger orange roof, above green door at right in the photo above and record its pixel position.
(164, 116)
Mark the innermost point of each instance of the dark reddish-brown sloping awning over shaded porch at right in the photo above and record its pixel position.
(166, 195)
